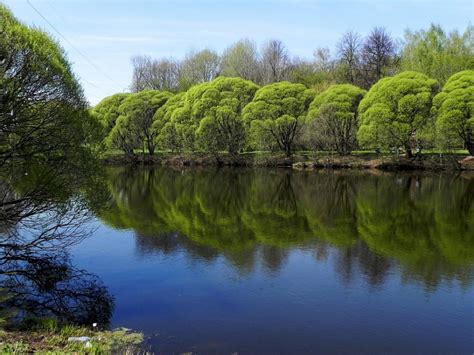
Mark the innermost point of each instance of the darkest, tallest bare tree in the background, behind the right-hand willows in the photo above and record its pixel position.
(379, 56)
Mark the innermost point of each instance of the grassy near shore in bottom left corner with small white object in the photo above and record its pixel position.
(49, 338)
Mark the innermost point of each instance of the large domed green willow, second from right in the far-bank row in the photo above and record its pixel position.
(396, 112)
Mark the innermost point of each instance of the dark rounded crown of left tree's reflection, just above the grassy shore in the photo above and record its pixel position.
(48, 285)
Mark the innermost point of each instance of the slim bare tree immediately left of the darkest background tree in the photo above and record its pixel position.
(348, 53)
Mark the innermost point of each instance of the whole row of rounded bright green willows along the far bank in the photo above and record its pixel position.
(408, 111)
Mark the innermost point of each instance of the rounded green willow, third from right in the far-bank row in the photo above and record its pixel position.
(332, 118)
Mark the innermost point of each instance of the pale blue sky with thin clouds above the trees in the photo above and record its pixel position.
(110, 32)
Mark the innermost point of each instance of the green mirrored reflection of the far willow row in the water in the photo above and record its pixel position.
(421, 224)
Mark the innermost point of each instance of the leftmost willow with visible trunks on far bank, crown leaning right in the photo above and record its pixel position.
(133, 128)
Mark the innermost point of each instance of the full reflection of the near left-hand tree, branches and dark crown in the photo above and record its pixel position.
(44, 210)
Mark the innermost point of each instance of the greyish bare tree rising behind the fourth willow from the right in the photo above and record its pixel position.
(275, 61)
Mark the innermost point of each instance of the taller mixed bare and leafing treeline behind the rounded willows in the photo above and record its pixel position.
(357, 60)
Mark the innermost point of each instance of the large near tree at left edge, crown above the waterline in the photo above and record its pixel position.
(43, 110)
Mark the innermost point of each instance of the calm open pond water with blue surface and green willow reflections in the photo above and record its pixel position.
(279, 261)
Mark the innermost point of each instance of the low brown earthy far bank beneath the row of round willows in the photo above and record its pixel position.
(430, 161)
